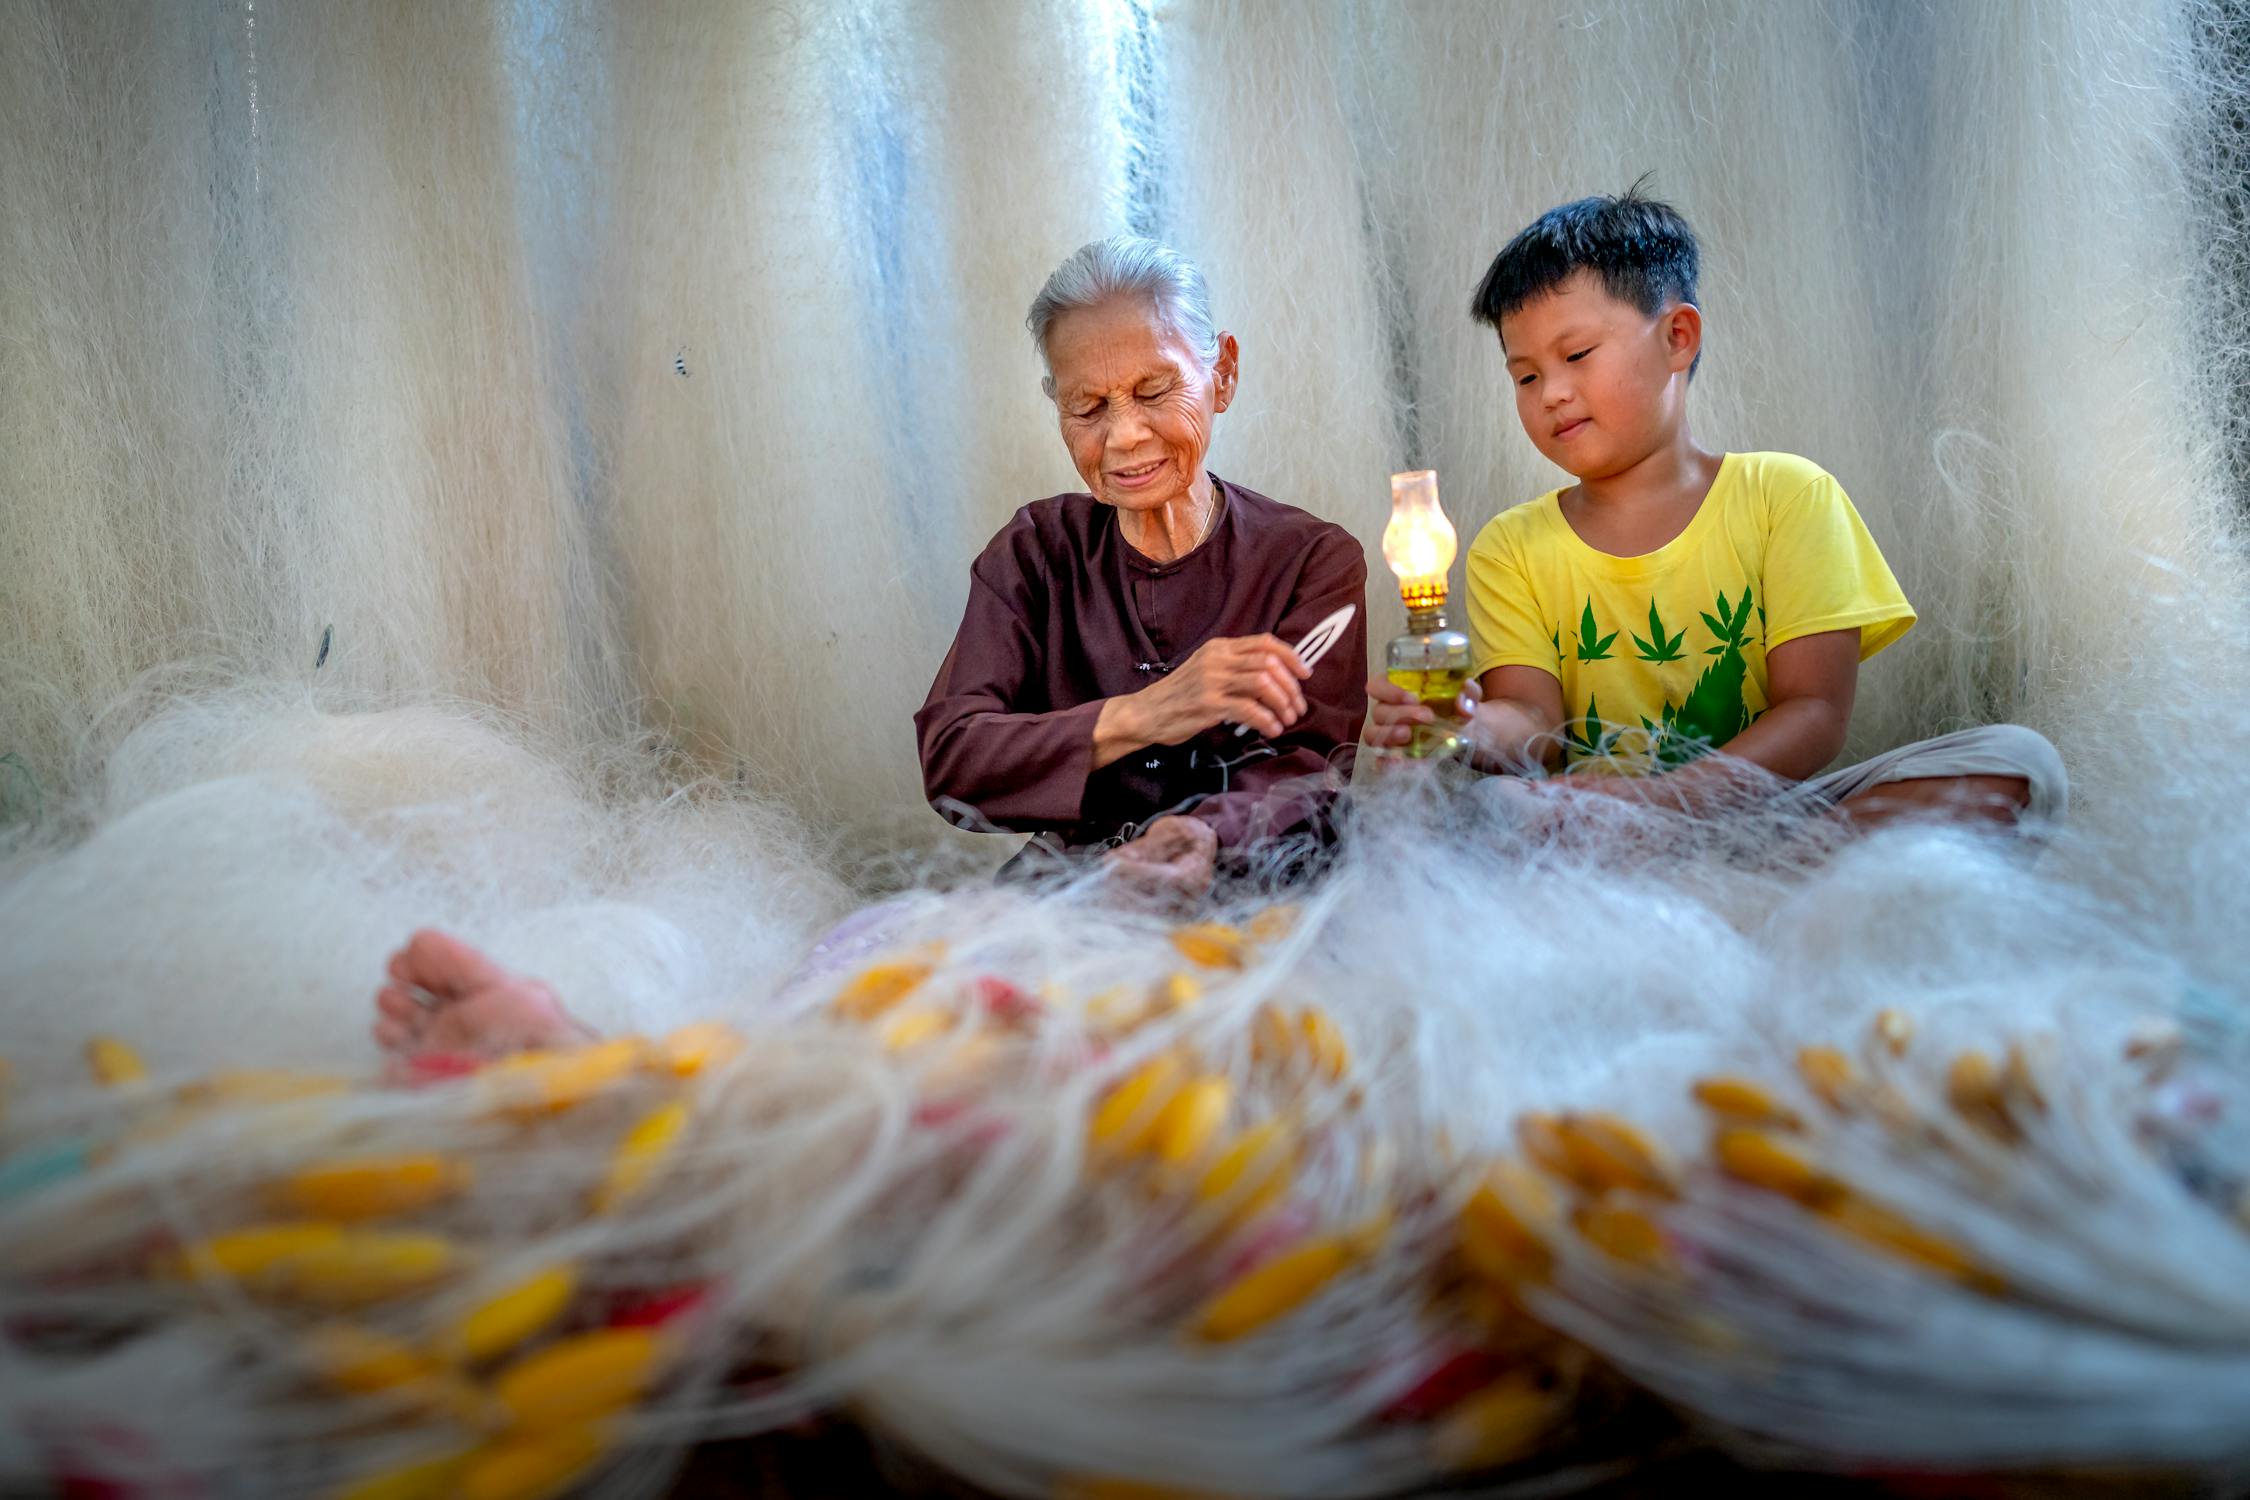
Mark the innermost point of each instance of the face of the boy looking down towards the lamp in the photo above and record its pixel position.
(1599, 381)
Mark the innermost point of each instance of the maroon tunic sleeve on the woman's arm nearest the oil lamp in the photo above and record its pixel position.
(1293, 788)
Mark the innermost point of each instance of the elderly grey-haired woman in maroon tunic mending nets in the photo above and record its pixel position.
(1117, 638)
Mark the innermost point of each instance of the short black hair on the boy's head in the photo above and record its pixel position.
(1641, 251)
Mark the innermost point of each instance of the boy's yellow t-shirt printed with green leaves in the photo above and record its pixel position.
(1664, 656)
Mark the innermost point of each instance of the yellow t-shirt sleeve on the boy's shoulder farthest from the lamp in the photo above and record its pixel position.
(1824, 572)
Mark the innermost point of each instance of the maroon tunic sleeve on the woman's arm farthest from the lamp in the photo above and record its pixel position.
(989, 763)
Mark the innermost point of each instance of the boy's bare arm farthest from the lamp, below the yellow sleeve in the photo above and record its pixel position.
(1810, 685)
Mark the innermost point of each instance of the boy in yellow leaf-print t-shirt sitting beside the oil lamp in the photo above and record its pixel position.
(1677, 602)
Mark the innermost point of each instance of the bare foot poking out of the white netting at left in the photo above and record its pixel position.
(451, 1000)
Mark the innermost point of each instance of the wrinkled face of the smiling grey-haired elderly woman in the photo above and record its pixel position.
(1135, 401)
